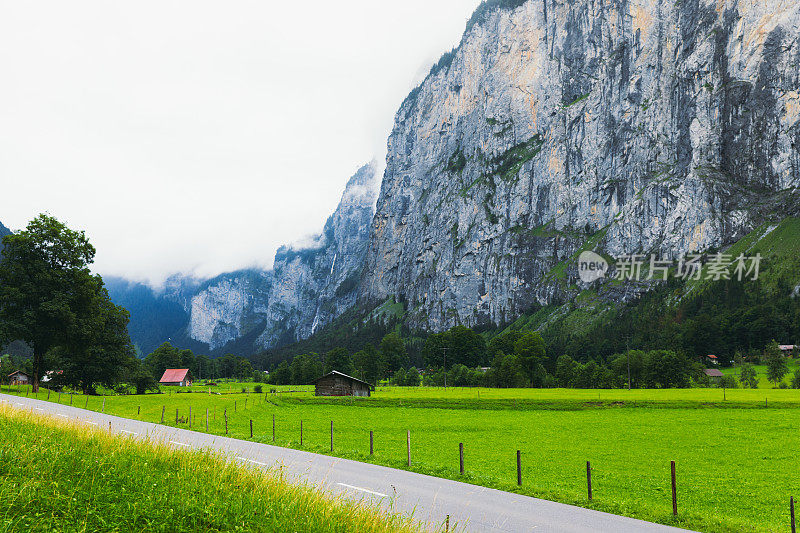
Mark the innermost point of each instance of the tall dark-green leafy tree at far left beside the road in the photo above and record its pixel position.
(42, 270)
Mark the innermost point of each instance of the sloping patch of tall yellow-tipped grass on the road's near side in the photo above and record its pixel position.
(60, 477)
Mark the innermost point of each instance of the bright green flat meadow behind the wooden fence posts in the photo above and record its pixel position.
(736, 458)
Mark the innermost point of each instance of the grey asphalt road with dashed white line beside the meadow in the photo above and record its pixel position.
(429, 499)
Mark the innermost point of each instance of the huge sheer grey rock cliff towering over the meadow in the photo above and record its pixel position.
(631, 126)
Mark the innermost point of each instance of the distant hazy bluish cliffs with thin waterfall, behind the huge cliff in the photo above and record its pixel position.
(307, 288)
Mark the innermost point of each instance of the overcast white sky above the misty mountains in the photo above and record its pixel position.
(200, 136)
